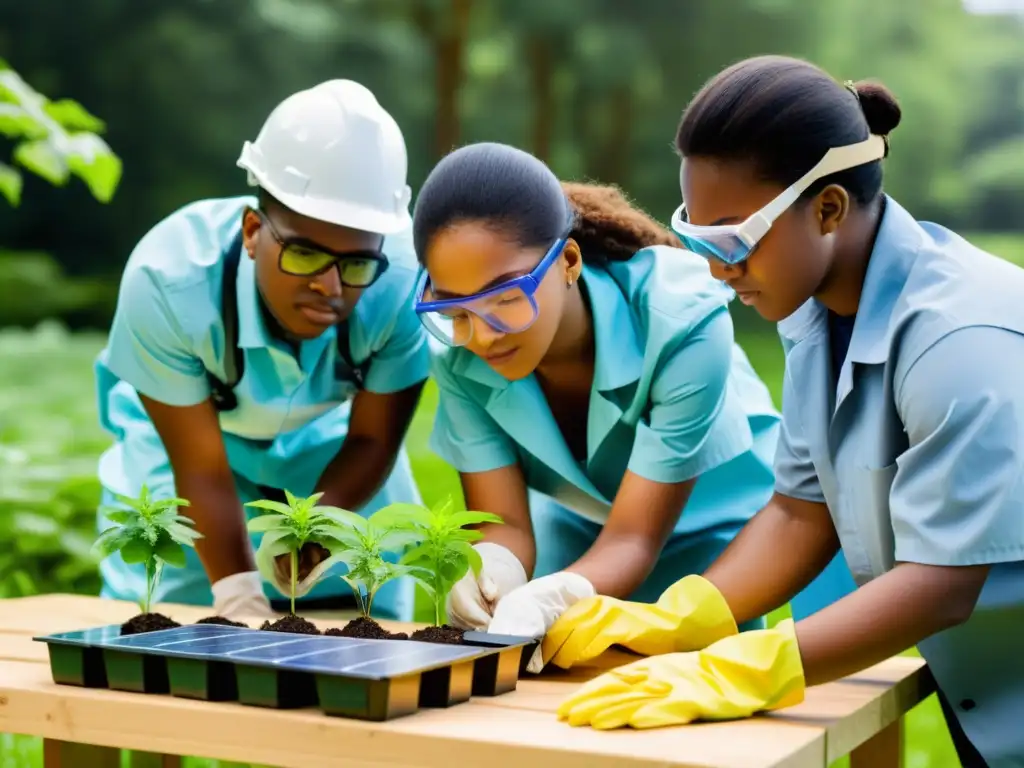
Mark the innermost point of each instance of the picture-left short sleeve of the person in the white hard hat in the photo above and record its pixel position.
(147, 348)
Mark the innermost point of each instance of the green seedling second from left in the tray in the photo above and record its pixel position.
(288, 528)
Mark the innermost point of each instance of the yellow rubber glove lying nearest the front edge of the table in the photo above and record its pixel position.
(734, 678)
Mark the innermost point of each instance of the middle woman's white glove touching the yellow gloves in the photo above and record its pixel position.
(532, 610)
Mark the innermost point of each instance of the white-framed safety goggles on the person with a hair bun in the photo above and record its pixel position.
(733, 244)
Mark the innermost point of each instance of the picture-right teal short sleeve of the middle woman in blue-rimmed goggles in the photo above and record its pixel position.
(695, 424)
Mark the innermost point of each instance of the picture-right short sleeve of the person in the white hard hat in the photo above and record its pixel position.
(404, 360)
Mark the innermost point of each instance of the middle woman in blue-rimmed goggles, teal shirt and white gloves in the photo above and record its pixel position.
(591, 395)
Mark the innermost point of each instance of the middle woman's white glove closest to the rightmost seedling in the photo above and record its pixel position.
(472, 603)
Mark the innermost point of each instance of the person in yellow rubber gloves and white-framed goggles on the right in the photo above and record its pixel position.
(903, 426)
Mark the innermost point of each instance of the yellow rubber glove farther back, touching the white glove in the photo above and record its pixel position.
(689, 616)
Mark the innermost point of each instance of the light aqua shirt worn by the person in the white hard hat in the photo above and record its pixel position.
(293, 411)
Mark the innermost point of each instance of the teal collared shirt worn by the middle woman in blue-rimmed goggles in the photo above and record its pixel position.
(673, 399)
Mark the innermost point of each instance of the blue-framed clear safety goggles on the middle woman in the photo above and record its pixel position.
(509, 308)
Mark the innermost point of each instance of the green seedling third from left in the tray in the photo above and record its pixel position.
(364, 542)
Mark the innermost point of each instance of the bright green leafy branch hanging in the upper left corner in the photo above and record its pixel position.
(56, 140)
